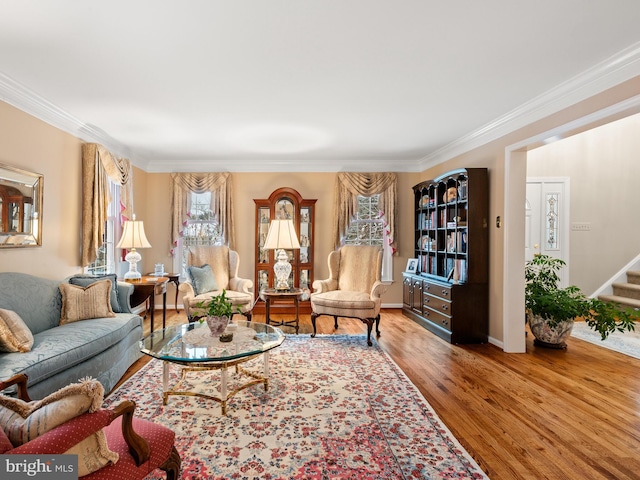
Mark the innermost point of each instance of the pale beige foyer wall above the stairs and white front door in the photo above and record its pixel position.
(603, 166)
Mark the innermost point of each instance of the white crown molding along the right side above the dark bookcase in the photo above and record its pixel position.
(613, 71)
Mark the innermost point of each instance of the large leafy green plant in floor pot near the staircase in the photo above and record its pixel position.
(551, 310)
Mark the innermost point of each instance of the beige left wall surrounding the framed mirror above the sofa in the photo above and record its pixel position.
(30, 144)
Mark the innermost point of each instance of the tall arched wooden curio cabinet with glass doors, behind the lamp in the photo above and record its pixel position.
(285, 203)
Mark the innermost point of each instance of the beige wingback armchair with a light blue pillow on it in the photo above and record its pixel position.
(225, 263)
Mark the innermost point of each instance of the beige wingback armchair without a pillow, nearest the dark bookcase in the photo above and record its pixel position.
(353, 288)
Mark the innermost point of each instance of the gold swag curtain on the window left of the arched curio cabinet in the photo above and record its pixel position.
(219, 184)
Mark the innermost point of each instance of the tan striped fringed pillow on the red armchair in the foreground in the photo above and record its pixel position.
(23, 421)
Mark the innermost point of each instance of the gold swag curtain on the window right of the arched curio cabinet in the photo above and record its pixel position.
(349, 186)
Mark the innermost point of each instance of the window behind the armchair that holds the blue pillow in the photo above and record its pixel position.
(201, 228)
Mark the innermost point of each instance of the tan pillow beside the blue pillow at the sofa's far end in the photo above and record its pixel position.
(83, 303)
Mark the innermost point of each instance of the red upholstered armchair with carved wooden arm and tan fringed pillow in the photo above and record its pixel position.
(110, 442)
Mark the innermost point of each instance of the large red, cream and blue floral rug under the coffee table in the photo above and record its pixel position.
(335, 409)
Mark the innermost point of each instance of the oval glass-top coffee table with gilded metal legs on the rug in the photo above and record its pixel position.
(192, 346)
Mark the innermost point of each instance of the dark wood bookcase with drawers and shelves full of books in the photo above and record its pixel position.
(448, 294)
